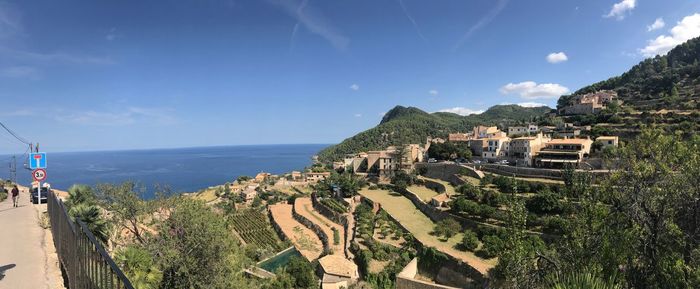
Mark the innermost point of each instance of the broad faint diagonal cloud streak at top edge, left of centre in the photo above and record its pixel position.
(314, 21)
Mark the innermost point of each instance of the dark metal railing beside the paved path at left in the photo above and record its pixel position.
(86, 263)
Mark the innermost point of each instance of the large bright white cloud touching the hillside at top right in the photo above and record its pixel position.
(684, 30)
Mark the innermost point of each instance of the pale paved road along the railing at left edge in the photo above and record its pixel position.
(22, 253)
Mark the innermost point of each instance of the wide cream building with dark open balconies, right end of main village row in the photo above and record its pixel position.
(557, 153)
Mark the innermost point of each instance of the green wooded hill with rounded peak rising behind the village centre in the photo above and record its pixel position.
(404, 125)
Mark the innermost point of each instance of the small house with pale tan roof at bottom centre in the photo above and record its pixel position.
(337, 272)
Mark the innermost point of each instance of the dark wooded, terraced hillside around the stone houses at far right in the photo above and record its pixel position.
(663, 91)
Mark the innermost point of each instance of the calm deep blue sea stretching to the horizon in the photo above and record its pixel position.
(182, 170)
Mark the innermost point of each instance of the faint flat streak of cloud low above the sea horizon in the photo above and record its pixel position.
(127, 116)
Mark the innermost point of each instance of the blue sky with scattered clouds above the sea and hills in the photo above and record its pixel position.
(98, 75)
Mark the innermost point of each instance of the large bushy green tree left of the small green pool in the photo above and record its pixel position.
(196, 249)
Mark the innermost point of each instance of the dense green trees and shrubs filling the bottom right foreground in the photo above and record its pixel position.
(639, 229)
